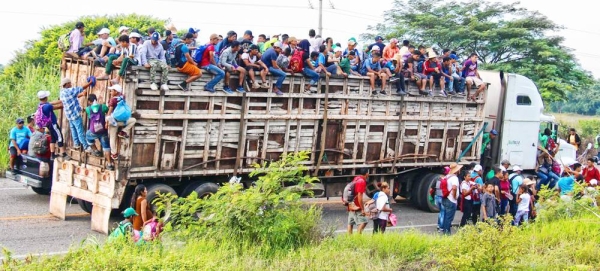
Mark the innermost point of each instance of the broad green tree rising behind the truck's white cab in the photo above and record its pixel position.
(505, 36)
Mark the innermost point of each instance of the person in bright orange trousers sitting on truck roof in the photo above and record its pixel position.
(185, 63)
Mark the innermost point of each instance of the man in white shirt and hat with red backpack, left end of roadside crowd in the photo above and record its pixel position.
(450, 190)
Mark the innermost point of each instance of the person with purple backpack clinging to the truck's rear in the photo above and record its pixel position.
(97, 128)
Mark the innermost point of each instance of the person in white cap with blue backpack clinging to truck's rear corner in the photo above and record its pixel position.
(113, 121)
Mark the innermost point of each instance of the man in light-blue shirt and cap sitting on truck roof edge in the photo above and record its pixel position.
(152, 56)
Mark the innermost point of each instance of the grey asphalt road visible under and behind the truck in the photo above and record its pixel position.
(26, 227)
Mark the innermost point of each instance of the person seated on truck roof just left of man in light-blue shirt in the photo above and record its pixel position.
(129, 57)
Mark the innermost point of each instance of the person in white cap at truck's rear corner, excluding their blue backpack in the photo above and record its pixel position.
(116, 94)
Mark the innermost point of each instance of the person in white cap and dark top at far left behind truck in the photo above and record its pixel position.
(45, 117)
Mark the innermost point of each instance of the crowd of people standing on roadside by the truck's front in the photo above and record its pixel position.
(483, 192)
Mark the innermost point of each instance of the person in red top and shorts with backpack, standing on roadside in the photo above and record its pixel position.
(358, 217)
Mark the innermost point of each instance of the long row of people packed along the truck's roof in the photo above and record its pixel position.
(221, 56)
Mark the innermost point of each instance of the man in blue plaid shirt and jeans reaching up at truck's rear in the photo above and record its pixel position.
(69, 95)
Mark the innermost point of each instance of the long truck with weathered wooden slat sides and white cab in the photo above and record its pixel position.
(196, 140)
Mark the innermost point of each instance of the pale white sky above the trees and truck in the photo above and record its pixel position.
(342, 19)
